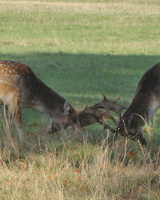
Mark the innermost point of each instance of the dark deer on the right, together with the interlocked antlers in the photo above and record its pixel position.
(145, 103)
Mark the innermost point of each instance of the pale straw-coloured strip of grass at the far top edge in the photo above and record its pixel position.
(83, 7)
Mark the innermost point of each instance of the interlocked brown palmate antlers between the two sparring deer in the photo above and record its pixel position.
(92, 114)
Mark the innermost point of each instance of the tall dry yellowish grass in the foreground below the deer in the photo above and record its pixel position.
(82, 172)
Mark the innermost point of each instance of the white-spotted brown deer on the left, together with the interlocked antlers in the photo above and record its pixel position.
(21, 88)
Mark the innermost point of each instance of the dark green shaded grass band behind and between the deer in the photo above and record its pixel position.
(83, 77)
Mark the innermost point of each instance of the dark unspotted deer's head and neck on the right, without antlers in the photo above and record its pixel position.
(145, 103)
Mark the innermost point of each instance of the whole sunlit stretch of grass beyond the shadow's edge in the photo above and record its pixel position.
(104, 27)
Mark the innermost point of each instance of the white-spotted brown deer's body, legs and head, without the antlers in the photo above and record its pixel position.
(21, 88)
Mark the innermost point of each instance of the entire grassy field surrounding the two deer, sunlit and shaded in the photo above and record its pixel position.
(82, 50)
